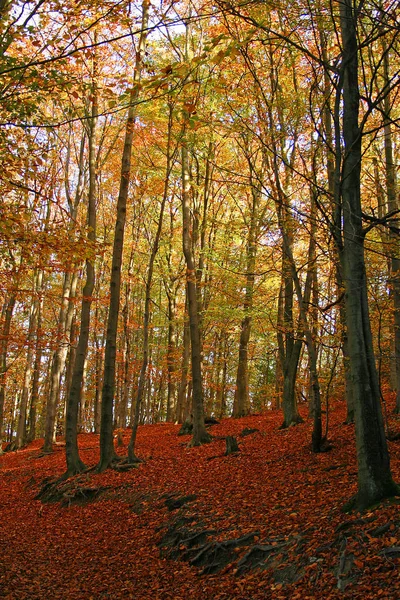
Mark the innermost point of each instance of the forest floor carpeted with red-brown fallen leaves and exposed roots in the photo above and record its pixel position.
(194, 524)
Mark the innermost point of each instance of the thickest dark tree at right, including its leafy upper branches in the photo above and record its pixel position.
(374, 476)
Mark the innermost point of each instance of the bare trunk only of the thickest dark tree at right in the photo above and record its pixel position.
(374, 477)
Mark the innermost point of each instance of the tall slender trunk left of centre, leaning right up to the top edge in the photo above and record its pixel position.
(107, 452)
